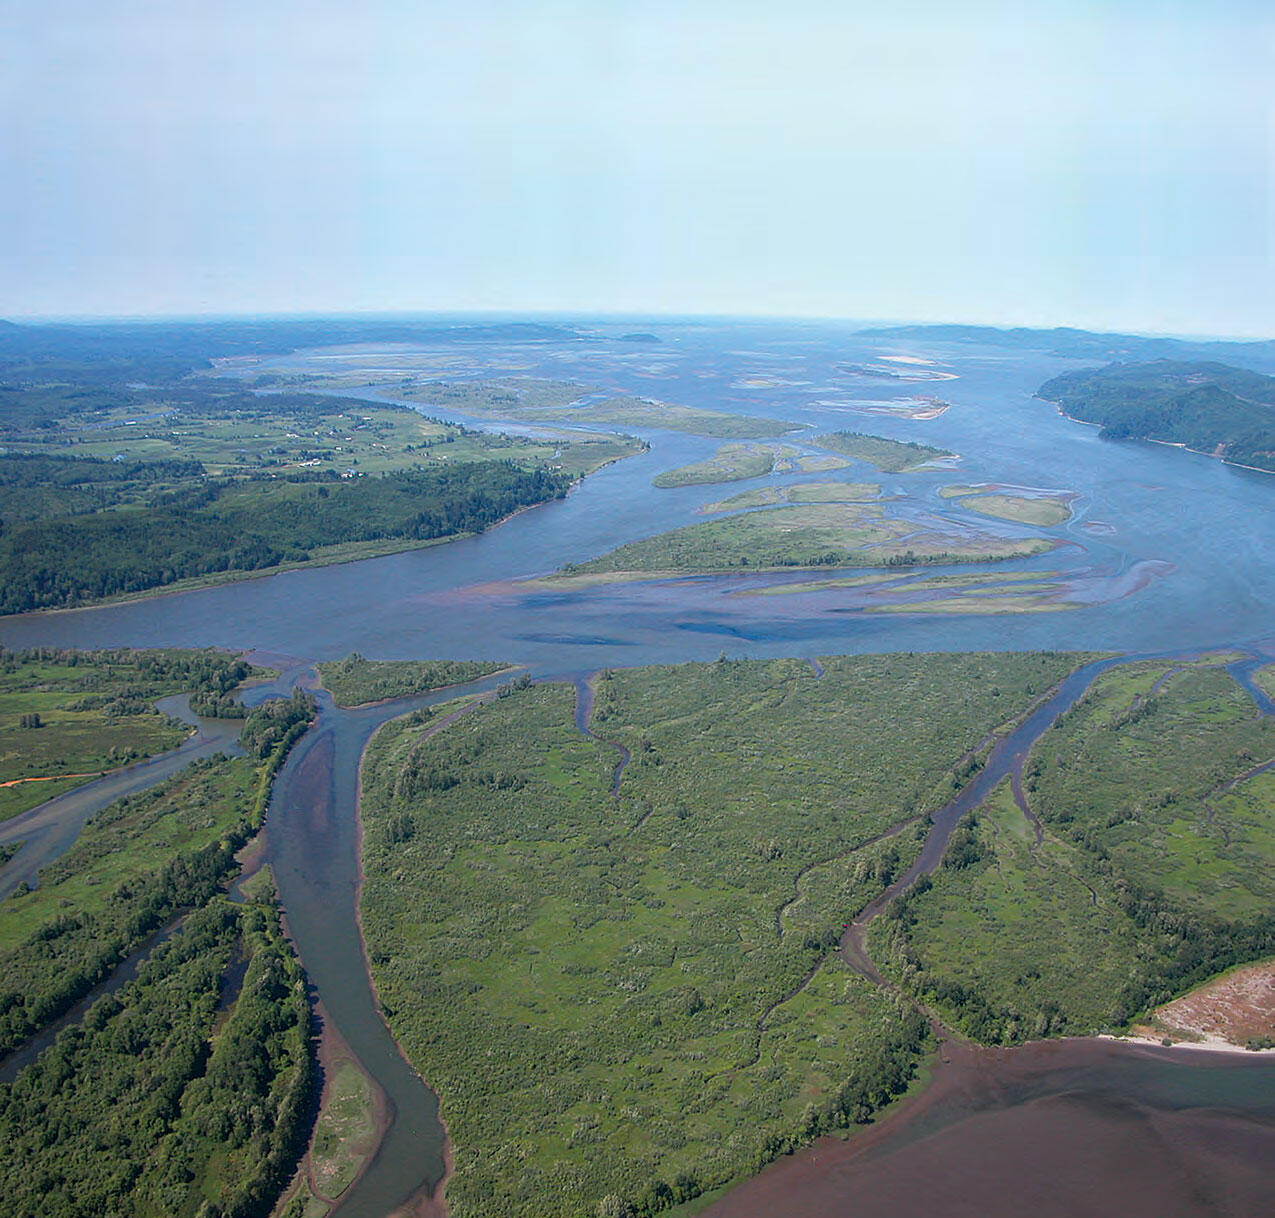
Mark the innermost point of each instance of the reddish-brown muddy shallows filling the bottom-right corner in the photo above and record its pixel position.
(1060, 1129)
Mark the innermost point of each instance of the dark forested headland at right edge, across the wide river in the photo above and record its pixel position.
(1213, 409)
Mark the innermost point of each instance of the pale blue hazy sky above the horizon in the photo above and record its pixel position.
(1105, 165)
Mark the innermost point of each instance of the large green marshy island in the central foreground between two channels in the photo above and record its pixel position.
(645, 988)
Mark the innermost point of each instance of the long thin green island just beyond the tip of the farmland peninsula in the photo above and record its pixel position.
(548, 401)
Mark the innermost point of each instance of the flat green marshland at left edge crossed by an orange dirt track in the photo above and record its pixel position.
(80, 714)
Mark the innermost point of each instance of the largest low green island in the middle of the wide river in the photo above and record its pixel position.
(817, 535)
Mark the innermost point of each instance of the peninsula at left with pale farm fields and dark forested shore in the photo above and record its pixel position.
(108, 493)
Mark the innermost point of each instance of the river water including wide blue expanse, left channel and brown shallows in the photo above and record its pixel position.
(1170, 553)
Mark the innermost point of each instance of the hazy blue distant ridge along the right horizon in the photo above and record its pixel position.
(1087, 345)
